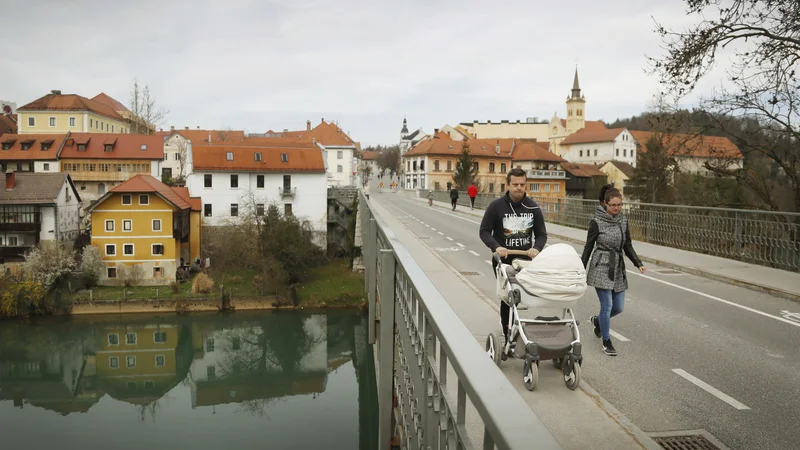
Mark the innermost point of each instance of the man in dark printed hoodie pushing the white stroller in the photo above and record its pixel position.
(513, 222)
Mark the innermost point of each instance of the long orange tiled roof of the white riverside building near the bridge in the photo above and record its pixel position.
(214, 157)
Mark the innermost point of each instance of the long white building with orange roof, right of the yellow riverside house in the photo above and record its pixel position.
(231, 180)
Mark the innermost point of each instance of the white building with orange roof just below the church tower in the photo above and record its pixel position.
(596, 147)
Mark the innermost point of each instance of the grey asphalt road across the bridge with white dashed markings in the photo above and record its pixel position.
(693, 353)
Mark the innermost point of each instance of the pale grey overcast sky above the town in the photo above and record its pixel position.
(259, 65)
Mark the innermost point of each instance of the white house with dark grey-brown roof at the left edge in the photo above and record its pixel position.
(36, 207)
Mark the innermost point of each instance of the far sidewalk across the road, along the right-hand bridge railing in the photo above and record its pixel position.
(776, 282)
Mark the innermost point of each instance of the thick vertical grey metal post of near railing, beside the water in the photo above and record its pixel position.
(386, 349)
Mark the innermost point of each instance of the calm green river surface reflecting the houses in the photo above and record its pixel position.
(274, 368)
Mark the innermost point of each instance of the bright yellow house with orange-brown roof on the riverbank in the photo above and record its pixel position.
(144, 230)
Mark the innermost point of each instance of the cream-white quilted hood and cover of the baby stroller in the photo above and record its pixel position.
(556, 273)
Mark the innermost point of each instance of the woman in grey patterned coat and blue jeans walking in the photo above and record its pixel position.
(609, 236)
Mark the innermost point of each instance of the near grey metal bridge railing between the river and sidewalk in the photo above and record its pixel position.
(417, 338)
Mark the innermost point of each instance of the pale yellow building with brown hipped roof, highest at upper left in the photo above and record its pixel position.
(60, 113)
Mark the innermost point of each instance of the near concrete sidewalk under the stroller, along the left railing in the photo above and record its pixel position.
(579, 419)
